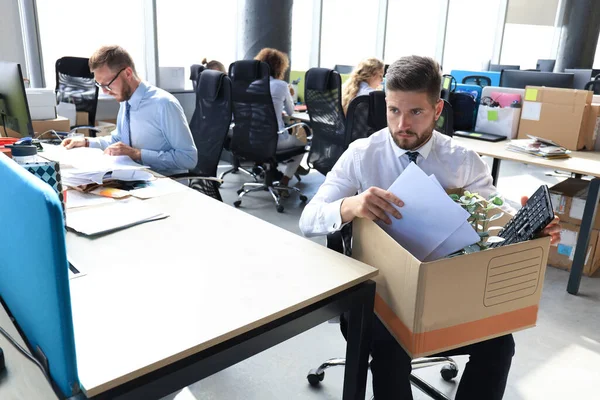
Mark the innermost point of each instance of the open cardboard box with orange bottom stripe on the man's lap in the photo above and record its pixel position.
(431, 307)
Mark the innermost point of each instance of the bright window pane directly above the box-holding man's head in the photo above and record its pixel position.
(413, 27)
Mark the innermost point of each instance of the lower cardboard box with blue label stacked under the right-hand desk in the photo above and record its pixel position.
(561, 256)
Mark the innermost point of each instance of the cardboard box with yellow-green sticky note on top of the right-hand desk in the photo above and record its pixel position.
(560, 115)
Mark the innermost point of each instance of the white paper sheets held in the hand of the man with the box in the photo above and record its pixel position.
(432, 226)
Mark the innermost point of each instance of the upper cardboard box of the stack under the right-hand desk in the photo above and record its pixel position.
(568, 200)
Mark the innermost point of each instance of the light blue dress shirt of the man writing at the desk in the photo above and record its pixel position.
(158, 128)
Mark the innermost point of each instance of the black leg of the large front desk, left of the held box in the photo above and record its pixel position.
(360, 326)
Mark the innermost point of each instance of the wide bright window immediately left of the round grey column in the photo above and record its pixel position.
(189, 31)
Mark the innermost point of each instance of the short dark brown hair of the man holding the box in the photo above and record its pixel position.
(415, 74)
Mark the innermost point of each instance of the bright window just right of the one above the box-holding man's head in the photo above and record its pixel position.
(470, 34)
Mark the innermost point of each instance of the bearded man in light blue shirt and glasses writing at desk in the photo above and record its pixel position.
(151, 126)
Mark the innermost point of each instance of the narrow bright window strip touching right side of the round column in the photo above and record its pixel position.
(302, 28)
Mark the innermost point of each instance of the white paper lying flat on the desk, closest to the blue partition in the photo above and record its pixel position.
(112, 217)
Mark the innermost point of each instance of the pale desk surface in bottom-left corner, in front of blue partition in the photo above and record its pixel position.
(22, 378)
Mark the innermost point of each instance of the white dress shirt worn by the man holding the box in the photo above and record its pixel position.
(378, 161)
